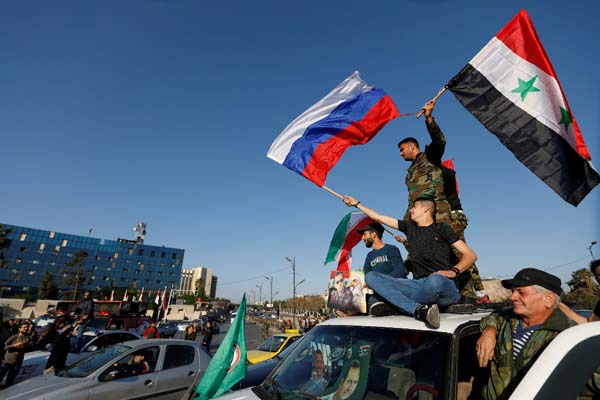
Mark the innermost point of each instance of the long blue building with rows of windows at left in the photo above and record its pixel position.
(110, 264)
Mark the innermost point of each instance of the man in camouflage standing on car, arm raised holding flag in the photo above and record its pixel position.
(426, 177)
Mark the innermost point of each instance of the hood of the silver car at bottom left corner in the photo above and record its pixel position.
(40, 386)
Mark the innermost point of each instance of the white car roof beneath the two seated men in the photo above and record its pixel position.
(448, 321)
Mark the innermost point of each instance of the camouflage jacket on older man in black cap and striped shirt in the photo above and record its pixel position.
(506, 373)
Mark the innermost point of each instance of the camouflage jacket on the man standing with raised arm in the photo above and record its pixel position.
(424, 176)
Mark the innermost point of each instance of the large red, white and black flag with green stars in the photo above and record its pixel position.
(510, 86)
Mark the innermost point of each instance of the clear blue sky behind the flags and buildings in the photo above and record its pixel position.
(114, 112)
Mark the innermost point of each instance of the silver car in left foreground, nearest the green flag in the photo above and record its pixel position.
(147, 368)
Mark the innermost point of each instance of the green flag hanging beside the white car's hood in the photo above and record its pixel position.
(228, 366)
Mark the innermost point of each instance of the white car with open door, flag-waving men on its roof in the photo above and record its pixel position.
(397, 357)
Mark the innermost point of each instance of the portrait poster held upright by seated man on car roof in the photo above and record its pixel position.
(346, 292)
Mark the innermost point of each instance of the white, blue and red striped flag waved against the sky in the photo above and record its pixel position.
(351, 114)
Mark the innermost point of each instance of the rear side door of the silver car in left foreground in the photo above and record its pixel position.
(180, 367)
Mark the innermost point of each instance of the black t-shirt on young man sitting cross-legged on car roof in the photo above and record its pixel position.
(430, 247)
